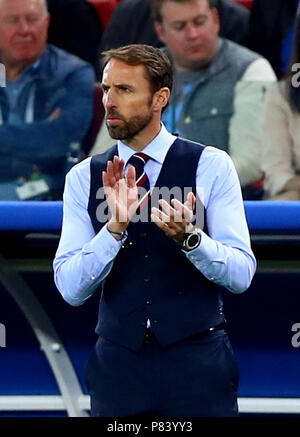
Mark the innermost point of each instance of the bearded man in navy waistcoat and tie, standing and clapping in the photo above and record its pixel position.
(162, 347)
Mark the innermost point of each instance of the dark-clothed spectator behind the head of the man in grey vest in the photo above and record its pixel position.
(131, 23)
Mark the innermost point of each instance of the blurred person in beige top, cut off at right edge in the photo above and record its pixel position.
(281, 136)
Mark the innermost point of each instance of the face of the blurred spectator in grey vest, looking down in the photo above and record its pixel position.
(190, 31)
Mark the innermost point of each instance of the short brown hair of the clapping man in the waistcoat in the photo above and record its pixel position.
(157, 65)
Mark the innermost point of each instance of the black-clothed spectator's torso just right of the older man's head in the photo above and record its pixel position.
(75, 26)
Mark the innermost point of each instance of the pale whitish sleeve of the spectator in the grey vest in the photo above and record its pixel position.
(245, 126)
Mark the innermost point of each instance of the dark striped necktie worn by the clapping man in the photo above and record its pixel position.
(138, 160)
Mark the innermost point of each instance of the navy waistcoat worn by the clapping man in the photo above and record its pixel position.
(151, 277)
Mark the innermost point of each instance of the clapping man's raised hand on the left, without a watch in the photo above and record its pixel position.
(121, 194)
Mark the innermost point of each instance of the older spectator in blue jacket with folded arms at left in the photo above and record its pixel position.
(45, 108)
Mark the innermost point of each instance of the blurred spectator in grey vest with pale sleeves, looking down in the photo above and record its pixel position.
(219, 85)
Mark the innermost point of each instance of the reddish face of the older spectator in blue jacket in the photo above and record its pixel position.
(23, 30)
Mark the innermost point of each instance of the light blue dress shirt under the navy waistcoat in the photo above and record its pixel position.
(84, 259)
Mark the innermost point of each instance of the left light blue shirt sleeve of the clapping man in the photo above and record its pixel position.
(83, 258)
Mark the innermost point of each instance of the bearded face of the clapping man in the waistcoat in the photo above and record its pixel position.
(127, 99)
